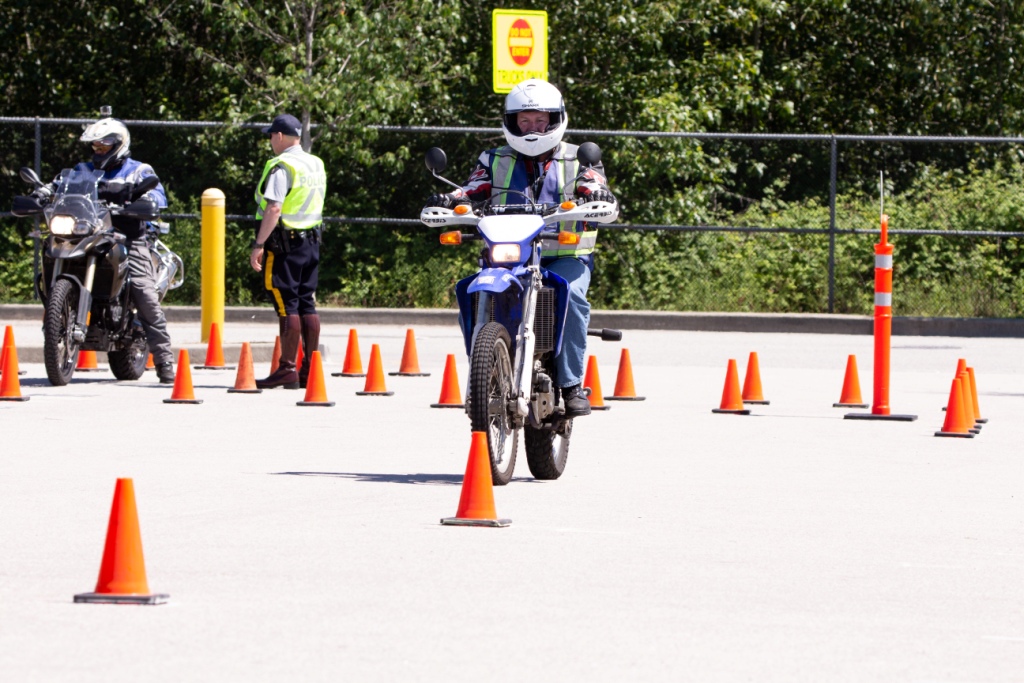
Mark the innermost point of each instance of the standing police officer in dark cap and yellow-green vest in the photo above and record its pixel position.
(290, 201)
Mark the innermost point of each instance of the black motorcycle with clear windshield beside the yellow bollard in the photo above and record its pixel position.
(86, 281)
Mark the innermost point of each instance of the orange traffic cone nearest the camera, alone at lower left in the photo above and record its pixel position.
(122, 573)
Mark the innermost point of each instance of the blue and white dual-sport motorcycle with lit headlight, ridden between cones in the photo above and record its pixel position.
(513, 314)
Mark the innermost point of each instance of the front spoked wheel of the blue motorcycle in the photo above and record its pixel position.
(491, 396)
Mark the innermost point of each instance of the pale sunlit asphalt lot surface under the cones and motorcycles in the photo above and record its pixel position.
(305, 544)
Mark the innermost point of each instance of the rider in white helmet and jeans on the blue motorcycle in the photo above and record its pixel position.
(537, 163)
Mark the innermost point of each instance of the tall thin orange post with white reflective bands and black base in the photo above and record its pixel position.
(883, 331)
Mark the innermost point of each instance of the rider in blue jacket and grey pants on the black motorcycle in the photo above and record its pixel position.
(111, 145)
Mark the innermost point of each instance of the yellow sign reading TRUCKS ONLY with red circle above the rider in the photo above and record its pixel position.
(521, 47)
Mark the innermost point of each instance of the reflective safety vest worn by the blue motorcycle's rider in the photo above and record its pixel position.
(566, 166)
